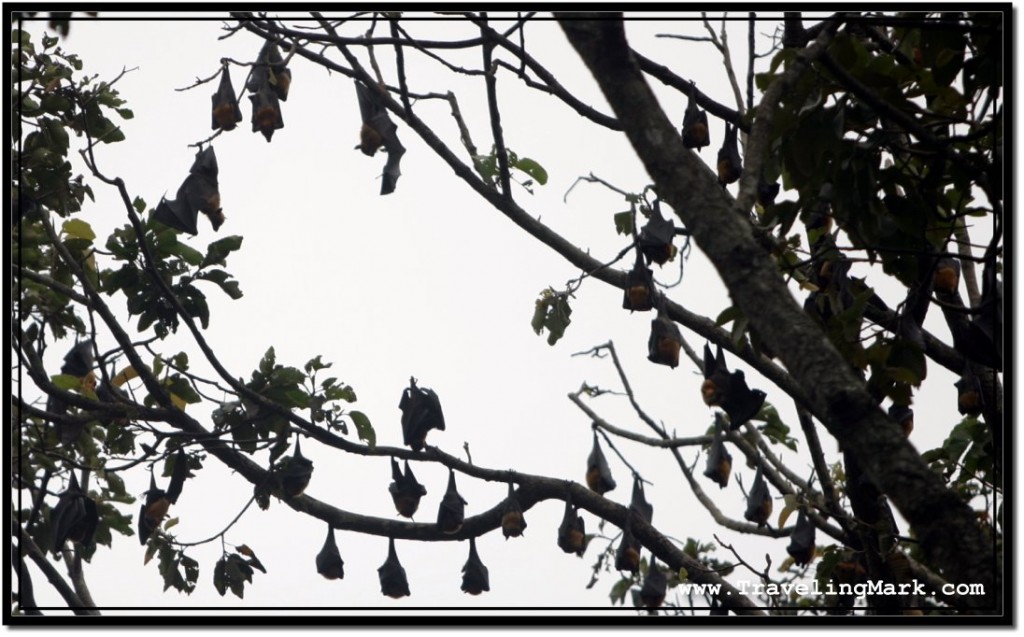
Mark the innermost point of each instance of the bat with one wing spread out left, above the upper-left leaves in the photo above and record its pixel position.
(199, 193)
